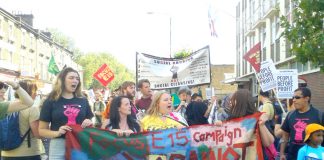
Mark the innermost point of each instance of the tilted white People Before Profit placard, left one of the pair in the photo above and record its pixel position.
(267, 75)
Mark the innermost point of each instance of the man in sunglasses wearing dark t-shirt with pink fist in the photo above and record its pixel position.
(295, 123)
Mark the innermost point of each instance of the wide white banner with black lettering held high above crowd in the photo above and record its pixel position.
(171, 73)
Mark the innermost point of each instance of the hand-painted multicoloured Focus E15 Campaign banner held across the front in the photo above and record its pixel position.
(236, 139)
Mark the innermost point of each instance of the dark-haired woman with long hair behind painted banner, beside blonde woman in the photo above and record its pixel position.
(121, 121)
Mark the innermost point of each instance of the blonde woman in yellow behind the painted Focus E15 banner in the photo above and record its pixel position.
(160, 116)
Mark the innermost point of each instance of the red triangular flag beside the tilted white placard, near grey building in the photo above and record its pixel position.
(253, 57)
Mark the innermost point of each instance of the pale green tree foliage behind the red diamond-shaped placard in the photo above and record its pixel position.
(92, 61)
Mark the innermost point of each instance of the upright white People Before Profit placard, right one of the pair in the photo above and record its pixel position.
(287, 82)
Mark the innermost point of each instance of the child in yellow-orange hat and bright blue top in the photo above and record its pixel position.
(313, 139)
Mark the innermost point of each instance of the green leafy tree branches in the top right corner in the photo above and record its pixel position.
(306, 31)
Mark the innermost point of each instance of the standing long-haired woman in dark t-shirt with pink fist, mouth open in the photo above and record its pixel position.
(64, 106)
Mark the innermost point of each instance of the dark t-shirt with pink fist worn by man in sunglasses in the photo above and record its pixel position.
(296, 125)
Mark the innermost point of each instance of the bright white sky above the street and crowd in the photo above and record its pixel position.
(124, 27)
